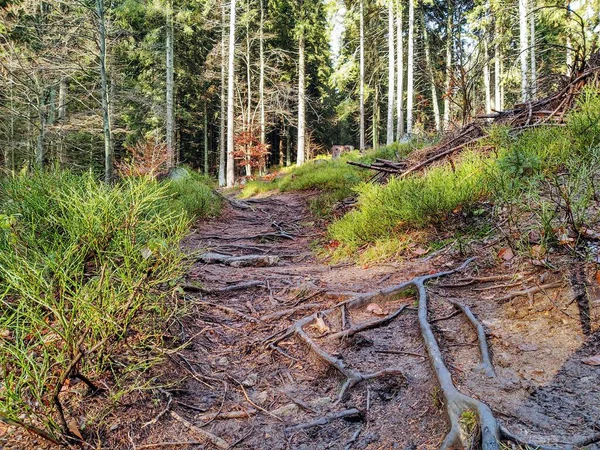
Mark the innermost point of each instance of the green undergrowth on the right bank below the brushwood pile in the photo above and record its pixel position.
(547, 172)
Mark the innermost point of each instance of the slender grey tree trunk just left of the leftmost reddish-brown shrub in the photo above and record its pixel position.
(108, 153)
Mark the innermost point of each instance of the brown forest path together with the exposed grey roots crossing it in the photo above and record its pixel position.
(286, 352)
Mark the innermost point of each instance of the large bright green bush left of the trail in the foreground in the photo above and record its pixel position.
(84, 276)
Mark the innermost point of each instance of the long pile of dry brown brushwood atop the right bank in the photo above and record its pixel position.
(548, 111)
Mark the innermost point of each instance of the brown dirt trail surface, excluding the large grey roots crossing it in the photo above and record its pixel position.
(542, 391)
